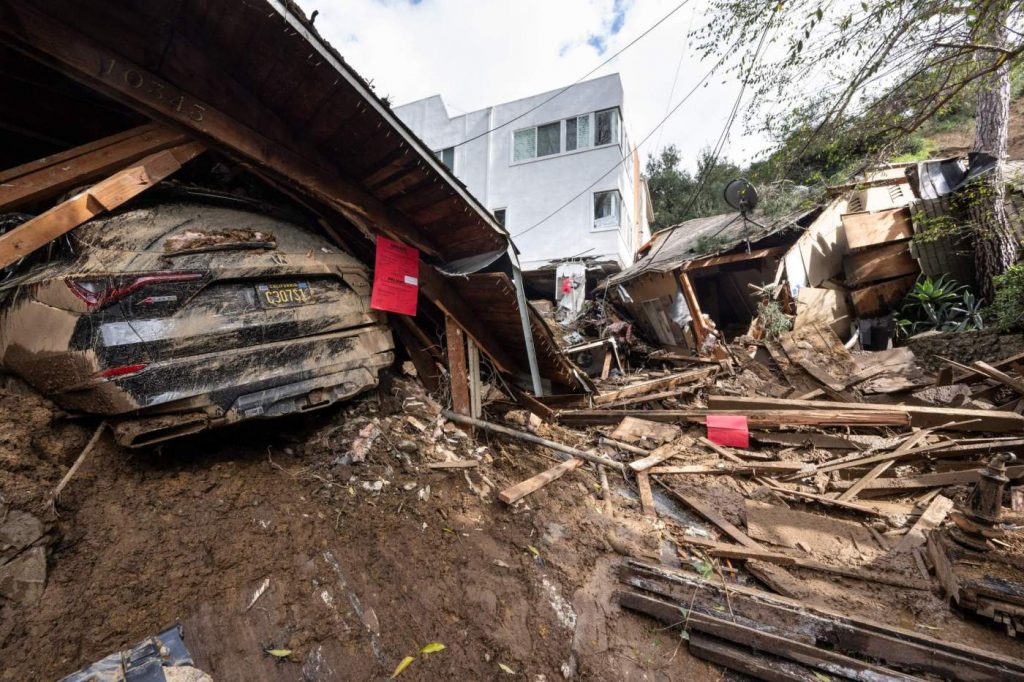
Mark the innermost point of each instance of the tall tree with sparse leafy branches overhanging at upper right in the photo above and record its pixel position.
(871, 74)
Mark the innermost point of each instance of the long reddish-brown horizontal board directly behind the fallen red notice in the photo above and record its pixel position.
(760, 419)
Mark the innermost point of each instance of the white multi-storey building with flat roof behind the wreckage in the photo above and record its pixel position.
(563, 179)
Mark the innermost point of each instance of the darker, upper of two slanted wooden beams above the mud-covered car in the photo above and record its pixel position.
(51, 177)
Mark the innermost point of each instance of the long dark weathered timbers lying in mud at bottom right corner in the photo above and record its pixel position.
(798, 630)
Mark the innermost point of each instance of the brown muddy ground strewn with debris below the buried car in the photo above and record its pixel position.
(364, 566)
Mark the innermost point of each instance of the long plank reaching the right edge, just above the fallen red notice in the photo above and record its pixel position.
(973, 420)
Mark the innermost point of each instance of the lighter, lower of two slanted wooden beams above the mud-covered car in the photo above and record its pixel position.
(102, 197)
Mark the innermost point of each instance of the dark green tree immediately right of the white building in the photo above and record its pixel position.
(677, 196)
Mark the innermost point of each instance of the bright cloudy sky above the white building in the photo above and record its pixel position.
(481, 53)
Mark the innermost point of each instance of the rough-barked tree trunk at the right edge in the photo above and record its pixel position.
(997, 246)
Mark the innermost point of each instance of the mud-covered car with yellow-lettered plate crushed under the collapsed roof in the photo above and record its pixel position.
(179, 317)
